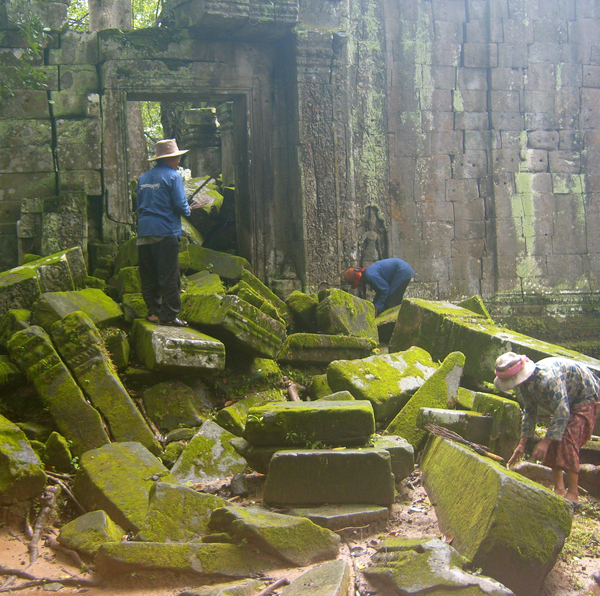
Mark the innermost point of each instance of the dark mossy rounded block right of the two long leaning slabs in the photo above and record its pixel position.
(173, 404)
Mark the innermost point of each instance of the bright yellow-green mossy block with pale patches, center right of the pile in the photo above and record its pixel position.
(387, 381)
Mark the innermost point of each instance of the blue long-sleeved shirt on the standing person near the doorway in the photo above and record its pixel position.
(161, 202)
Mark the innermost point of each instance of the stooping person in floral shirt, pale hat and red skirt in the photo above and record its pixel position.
(569, 391)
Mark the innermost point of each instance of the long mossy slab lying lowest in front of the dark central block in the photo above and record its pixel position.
(293, 540)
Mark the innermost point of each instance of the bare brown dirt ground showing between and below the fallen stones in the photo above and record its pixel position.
(412, 516)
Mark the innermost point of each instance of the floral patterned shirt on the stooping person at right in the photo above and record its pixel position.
(557, 384)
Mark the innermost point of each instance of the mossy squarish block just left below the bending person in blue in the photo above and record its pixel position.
(341, 313)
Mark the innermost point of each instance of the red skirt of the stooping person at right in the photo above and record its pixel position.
(564, 454)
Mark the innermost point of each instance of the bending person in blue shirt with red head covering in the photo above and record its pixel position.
(388, 277)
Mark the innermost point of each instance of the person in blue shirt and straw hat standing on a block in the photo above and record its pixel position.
(161, 201)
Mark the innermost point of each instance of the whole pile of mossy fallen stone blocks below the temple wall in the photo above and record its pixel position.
(154, 433)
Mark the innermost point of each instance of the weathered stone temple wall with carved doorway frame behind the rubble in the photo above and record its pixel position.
(461, 135)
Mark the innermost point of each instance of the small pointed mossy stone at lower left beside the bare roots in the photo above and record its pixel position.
(87, 532)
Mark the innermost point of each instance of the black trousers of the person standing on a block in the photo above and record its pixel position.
(161, 284)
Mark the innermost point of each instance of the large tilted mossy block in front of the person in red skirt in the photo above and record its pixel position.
(509, 526)
